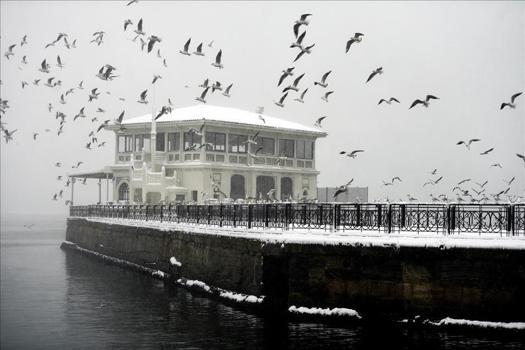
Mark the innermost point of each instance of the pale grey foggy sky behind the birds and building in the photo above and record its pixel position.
(471, 55)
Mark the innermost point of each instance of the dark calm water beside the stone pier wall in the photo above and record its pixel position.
(52, 299)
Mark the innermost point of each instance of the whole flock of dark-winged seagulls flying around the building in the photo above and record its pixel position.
(148, 42)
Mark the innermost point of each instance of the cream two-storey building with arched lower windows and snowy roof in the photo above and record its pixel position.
(204, 153)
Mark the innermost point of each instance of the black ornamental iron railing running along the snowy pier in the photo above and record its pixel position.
(505, 219)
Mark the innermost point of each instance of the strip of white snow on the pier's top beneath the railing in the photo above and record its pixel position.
(347, 238)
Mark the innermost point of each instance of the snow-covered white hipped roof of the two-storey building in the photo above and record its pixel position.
(225, 114)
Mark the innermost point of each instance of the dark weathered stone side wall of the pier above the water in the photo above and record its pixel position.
(397, 282)
